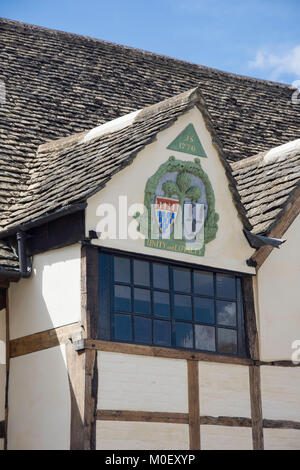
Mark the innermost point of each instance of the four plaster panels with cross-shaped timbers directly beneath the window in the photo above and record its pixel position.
(149, 402)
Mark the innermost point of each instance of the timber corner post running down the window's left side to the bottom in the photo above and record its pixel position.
(82, 364)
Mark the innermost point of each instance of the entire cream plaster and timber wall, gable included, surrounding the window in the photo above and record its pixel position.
(116, 396)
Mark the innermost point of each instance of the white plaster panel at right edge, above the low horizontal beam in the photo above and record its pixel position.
(280, 387)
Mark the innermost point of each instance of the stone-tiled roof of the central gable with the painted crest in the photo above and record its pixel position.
(70, 170)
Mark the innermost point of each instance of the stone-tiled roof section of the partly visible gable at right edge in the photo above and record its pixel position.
(266, 183)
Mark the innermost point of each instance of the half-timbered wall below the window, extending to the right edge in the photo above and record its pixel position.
(154, 398)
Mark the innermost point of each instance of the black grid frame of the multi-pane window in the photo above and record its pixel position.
(106, 310)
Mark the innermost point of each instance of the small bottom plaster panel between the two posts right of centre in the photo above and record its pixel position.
(225, 438)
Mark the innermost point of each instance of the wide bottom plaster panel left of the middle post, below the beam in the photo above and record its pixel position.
(123, 435)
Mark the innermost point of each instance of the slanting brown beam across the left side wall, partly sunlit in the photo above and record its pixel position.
(43, 340)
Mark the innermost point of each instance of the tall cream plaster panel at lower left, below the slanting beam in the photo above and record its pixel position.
(39, 401)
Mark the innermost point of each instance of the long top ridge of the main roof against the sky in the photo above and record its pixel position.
(46, 29)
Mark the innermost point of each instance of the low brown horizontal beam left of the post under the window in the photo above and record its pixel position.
(143, 416)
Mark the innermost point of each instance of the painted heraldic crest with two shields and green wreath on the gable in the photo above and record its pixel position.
(180, 207)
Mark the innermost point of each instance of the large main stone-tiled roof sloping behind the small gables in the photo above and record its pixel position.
(58, 84)
